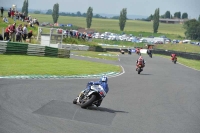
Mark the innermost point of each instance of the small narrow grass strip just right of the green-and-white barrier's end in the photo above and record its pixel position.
(100, 55)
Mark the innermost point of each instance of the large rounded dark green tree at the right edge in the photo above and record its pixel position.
(192, 29)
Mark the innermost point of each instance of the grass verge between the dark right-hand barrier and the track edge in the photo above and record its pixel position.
(188, 62)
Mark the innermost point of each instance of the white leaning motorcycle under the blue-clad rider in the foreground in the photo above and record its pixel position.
(93, 96)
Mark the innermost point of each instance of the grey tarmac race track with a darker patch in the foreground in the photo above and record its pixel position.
(164, 98)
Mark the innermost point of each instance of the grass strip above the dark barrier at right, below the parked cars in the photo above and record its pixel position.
(180, 47)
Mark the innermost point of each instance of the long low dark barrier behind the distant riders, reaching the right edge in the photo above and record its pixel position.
(186, 55)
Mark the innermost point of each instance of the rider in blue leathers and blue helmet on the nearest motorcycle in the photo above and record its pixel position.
(103, 82)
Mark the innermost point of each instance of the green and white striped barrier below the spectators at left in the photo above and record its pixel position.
(30, 49)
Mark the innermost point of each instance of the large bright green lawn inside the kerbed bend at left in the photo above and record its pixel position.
(31, 65)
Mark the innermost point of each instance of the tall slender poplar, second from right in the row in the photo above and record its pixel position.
(122, 19)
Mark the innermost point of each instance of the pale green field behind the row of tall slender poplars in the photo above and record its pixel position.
(113, 25)
